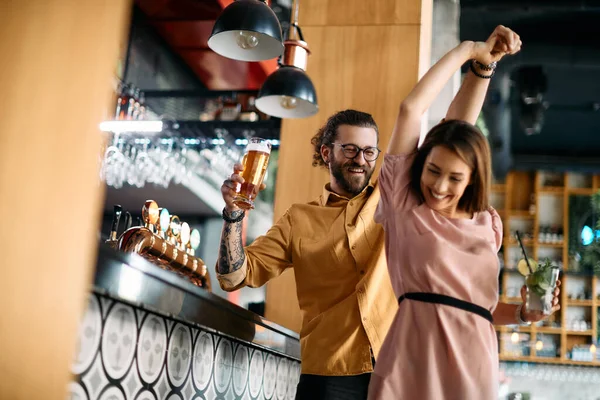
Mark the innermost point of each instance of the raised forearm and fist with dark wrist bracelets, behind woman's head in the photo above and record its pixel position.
(467, 103)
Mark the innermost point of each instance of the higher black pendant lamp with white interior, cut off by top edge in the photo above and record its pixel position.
(247, 30)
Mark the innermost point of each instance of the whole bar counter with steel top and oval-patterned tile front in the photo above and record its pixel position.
(150, 334)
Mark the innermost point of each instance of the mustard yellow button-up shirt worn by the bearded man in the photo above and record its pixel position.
(345, 295)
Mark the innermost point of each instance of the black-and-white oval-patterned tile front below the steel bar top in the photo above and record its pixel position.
(125, 353)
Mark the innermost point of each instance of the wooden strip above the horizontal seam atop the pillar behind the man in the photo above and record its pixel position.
(356, 13)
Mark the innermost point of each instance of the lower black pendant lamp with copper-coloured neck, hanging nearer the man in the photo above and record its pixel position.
(289, 92)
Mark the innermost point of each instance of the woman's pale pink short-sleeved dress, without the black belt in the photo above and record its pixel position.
(434, 351)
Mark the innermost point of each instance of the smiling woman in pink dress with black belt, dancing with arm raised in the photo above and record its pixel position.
(442, 239)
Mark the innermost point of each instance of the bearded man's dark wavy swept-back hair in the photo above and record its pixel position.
(328, 132)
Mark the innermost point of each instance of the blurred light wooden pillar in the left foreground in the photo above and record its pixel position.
(59, 60)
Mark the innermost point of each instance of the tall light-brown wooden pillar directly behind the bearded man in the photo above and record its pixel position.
(366, 55)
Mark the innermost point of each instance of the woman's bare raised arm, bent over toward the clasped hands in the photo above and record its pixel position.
(407, 129)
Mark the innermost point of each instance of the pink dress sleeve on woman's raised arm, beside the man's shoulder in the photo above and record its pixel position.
(394, 185)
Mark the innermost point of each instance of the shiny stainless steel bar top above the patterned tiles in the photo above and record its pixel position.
(132, 279)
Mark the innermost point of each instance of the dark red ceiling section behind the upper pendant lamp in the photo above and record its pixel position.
(186, 26)
